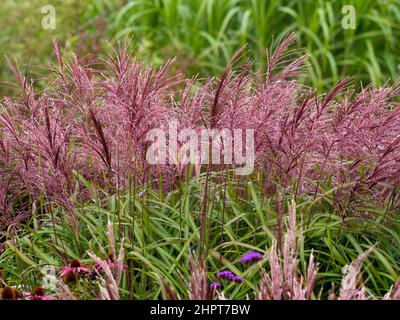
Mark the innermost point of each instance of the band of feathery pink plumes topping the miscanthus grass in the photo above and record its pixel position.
(93, 124)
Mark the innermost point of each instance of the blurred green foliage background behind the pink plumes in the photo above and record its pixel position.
(204, 34)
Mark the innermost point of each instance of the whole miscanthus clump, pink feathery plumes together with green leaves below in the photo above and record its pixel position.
(83, 140)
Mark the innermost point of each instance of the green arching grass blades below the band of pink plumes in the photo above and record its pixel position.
(159, 242)
